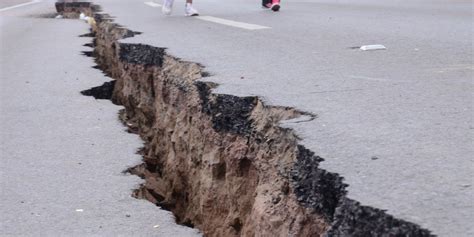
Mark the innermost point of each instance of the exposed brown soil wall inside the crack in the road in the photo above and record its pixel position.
(203, 158)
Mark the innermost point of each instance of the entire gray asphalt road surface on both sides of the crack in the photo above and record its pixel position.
(397, 124)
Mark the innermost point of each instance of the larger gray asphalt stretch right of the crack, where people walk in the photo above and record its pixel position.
(396, 124)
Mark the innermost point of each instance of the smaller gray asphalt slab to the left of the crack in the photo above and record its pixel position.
(62, 153)
